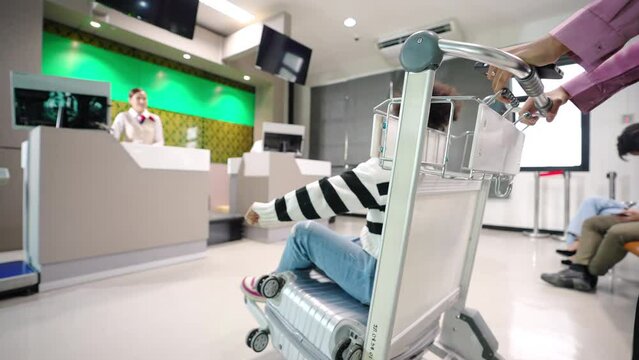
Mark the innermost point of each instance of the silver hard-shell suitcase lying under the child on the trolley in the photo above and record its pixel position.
(313, 318)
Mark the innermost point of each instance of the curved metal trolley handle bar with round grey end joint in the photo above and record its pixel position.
(425, 49)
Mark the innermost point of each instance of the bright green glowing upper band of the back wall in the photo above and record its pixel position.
(167, 89)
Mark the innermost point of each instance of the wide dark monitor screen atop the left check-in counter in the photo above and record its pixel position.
(46, 108)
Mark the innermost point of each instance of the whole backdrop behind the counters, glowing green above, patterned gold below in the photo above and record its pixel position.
(224, 114)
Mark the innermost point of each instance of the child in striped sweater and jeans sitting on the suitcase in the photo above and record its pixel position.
(350, 262)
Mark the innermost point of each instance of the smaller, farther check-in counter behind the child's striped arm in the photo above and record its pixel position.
(263, 176)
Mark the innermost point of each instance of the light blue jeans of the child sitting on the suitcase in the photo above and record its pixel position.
(339, 257)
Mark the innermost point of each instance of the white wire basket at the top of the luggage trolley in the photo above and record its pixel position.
(492, 150)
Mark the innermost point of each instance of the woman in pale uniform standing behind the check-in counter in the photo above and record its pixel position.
(138, 125)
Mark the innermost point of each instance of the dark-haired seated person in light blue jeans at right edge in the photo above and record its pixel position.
(627, 143)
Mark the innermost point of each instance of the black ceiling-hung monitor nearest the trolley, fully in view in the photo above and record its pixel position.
(282, 56)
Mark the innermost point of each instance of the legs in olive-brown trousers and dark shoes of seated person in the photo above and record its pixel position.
(601, 247)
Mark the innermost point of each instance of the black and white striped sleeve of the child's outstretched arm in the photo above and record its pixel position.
(363, 187)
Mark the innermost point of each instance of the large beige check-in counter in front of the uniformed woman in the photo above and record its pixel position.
(97, 208)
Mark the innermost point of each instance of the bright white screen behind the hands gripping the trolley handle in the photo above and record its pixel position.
(559, 145)
